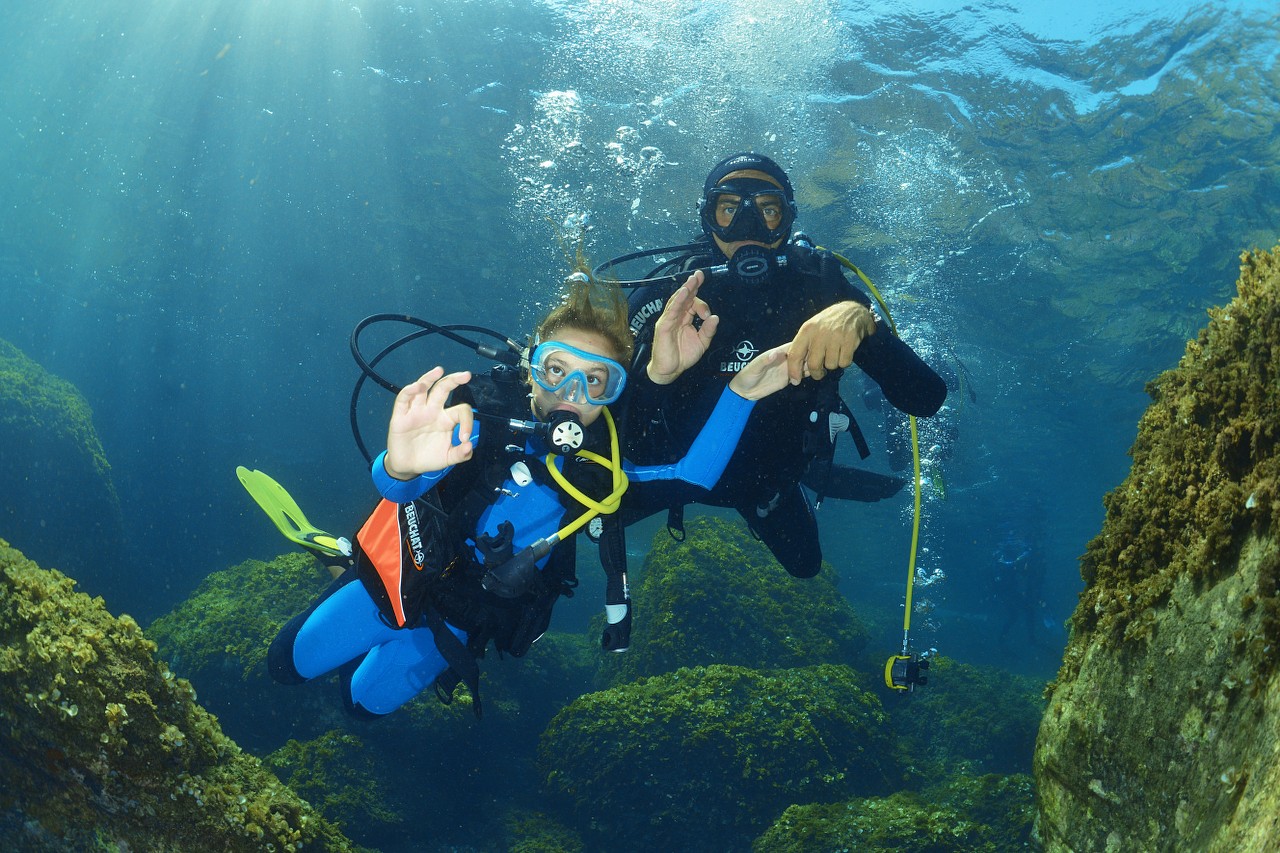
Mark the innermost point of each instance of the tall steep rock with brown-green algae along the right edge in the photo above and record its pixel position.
(1164, 729)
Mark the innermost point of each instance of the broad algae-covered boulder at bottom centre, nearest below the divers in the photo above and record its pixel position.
(703, 759)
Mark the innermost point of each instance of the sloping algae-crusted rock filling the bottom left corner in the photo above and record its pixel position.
(104, 749)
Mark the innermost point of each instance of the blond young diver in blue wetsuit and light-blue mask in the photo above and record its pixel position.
(450, 564)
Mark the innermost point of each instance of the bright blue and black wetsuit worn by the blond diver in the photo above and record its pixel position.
(383, 667)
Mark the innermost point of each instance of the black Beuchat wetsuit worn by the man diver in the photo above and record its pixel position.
(789, 430)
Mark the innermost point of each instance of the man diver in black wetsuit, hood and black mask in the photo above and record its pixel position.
(776, 289)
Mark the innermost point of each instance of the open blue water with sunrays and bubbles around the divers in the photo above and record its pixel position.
(202, 199)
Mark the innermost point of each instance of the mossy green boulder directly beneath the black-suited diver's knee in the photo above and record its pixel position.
(720, 597)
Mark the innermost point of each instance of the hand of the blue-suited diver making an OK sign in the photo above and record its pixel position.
(420, 437)
